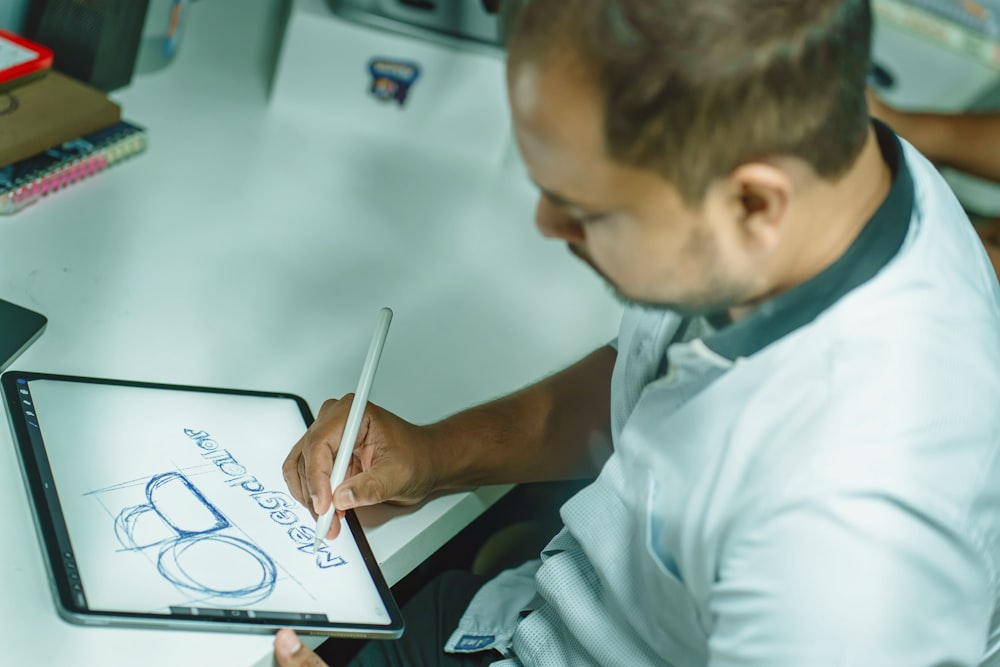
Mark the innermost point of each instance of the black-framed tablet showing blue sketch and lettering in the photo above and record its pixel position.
(164, 506)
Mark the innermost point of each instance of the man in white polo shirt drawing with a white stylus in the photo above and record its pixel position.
(803, 396)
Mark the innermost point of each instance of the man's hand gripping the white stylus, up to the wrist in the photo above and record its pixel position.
(391, 462)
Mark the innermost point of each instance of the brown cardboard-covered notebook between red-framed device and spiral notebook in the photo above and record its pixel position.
(49, 111)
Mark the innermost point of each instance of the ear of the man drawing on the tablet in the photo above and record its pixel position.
(759, 195)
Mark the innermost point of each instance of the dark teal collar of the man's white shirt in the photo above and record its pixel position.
(878, 242)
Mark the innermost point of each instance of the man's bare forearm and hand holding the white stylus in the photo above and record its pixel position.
(557, 428)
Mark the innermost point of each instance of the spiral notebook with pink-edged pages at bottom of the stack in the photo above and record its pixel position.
(28, 180)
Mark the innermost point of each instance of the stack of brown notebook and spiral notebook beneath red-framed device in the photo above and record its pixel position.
(54, 131)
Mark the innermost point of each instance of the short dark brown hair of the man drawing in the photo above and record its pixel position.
(694, 88)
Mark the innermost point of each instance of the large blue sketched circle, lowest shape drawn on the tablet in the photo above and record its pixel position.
(219, 566)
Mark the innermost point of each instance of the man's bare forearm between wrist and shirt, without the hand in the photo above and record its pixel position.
(557, 428)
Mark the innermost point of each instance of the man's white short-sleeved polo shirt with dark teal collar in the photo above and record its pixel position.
(816, 484)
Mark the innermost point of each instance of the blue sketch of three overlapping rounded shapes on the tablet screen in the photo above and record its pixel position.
(186, 527)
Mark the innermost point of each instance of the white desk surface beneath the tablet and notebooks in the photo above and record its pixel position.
(252, 246)
